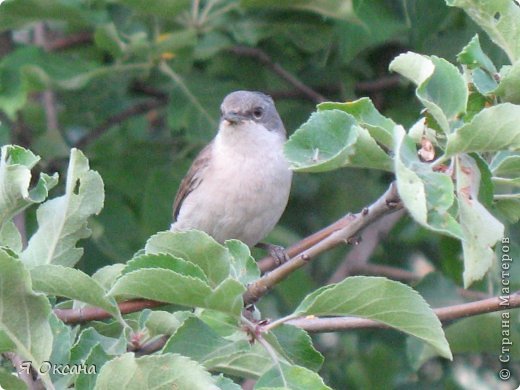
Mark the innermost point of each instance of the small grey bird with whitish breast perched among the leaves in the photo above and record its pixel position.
(239, 184)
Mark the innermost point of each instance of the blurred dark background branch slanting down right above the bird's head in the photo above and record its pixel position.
(264, 58)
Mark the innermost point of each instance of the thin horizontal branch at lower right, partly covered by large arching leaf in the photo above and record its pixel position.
(449, 313)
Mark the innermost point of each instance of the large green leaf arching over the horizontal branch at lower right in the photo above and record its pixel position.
(386, 301)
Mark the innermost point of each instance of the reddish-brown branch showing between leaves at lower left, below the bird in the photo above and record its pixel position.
(74, 316)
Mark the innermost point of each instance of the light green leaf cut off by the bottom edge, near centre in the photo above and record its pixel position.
(285, 376)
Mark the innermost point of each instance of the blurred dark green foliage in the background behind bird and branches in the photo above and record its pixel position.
(137, 86)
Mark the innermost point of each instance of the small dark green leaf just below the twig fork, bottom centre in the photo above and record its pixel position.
(296, 346)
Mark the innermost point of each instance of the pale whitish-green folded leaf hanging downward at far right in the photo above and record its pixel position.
(481, 230)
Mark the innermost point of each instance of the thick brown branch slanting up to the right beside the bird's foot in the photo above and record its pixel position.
(338, 233)
